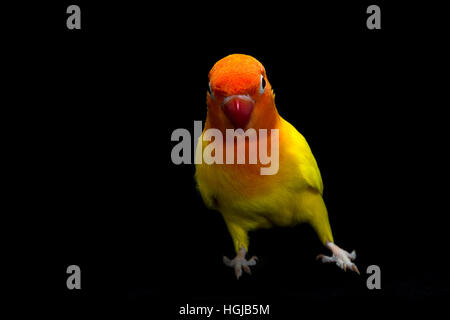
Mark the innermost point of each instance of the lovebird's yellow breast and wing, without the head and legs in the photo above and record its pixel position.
(243, 195)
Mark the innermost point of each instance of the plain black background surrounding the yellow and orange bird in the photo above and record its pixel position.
(97, 107)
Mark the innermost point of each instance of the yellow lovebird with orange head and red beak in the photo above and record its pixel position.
(240, 97)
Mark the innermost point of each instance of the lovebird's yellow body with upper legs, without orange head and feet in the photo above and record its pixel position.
(249, 200)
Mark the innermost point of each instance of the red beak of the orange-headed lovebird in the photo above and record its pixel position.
(238, 110)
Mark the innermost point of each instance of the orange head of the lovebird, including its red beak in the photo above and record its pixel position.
(240, 96)
